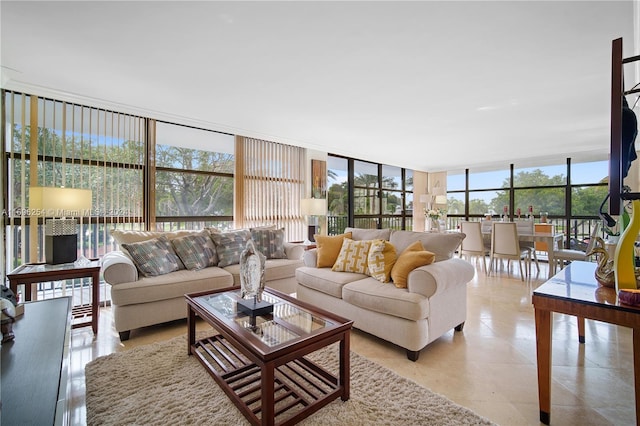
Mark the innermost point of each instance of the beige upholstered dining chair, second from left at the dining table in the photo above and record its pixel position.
(506, 245)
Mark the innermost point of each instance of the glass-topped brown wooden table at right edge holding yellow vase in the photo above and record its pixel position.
(574, 291)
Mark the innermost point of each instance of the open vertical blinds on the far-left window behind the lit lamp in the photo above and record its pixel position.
(59, 144)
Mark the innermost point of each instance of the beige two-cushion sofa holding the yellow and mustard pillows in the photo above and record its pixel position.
(434, 302)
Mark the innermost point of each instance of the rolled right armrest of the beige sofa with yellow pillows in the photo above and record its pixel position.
(428, 280)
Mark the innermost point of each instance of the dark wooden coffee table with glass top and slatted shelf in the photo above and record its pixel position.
(264, 370)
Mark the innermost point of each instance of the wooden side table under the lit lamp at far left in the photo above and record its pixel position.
(31, 273)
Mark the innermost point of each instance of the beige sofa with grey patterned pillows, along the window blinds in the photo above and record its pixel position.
(139, 301)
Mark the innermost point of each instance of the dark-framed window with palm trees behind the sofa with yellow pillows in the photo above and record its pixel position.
(368, 195)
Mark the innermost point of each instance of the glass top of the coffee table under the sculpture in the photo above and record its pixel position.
(286, 323)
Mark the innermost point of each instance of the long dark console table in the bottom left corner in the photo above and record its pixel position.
(35, 387)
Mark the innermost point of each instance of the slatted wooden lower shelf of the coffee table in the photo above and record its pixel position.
(300, 386)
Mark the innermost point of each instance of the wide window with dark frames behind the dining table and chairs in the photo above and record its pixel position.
(569, 195)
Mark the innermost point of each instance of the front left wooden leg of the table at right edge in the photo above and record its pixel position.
(543, 351)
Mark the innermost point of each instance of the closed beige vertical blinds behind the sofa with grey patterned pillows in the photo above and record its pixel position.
(269, 185)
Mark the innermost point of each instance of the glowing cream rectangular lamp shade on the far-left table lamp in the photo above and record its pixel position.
(59, 202)
